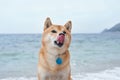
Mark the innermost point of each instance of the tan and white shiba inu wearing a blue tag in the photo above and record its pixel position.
(54, 57)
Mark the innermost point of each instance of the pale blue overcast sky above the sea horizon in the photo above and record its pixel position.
(87, 16)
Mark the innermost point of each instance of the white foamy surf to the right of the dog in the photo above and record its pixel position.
(111, 74)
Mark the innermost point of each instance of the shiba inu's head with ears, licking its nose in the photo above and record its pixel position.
(56, 36)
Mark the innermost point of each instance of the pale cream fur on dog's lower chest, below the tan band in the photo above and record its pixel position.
(60, 75)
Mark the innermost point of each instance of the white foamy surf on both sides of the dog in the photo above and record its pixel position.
(111, 74)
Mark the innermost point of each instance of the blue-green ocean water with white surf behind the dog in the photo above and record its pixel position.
(93, 56)
